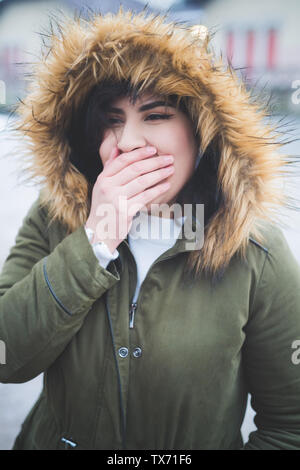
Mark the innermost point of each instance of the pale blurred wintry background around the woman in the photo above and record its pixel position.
(260, 38)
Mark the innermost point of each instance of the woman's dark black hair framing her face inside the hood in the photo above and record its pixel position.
(86, 131)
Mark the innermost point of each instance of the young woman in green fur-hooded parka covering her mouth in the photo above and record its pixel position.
(150, 343)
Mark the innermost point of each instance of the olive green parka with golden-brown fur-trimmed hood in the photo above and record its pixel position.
(204, 345)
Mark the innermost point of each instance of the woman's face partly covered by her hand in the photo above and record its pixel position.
(167, 129)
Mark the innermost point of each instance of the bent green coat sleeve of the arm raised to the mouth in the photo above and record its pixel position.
(45, 296)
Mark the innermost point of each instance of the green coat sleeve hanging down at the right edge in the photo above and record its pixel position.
(271, 360)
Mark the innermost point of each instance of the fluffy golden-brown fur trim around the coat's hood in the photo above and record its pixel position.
(177, 59)
